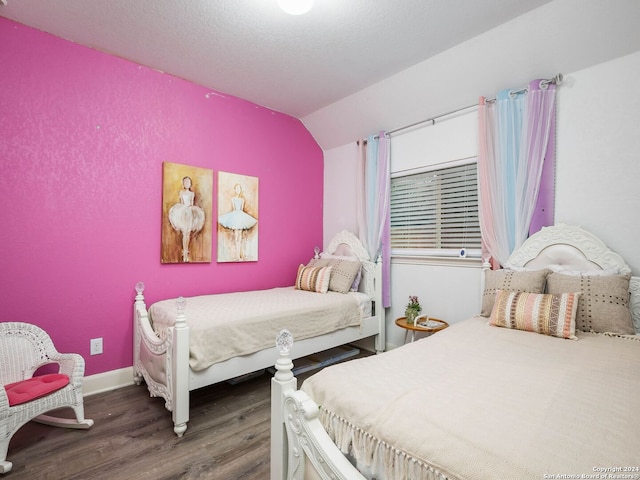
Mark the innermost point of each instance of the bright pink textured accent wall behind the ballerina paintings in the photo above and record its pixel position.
(83, 136)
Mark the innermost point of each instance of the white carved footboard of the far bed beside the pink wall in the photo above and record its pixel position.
(163, 363)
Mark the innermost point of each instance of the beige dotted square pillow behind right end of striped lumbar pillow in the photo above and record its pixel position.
(604, 304)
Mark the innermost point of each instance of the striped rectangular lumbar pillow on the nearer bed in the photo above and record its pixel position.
(547, 314)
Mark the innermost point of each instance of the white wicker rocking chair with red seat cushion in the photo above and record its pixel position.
(23, 349)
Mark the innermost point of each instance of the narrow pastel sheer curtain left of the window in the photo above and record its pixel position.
(374, 189)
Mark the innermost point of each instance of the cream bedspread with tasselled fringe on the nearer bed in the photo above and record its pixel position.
(481, 402)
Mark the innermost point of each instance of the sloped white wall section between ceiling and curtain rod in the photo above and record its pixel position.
(560, 36)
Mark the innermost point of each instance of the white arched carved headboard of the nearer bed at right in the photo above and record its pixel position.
(569, 247)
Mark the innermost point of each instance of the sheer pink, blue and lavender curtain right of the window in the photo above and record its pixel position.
(513, 137)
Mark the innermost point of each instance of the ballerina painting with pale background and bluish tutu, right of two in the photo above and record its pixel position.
(237, 218)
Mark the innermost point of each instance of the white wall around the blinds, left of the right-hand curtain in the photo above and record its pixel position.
(448, 289)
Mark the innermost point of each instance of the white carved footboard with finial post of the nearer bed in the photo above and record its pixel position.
(300, 447)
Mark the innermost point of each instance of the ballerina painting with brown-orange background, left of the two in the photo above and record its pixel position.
(186, 225)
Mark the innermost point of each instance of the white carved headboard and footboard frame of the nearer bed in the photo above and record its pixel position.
(301, 448)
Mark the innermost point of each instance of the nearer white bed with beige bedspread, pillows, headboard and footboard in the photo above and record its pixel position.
(520, 393)
